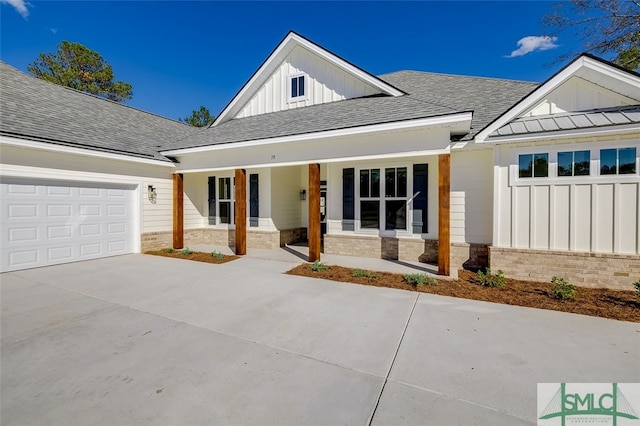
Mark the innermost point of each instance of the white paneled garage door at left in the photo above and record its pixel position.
(46, 223)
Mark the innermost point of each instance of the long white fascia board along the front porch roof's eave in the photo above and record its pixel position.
(352, 131)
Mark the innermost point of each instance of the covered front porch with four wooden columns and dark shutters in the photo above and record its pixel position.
(324, 206)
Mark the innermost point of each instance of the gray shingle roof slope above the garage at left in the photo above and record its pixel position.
(34, 109)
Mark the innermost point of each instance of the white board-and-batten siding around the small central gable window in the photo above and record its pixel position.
(324, 83)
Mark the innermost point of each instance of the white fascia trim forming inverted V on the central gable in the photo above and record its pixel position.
(278, 55)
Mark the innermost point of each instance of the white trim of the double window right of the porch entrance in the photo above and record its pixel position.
(407, 232)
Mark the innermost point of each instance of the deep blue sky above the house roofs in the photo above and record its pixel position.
(180, 55)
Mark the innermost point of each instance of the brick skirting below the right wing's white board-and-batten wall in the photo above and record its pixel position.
(618, 271)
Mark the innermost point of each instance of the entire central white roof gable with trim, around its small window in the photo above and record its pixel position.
(329, 78)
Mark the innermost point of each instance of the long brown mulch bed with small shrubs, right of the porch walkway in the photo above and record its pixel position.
(614, 304)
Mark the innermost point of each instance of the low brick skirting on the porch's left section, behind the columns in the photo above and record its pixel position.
(256, 239)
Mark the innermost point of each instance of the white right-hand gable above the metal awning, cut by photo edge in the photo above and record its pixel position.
(587, 83)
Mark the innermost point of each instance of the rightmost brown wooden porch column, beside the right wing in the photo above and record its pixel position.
(444, 213)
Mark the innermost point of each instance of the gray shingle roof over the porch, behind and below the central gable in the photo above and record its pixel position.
(428, 95)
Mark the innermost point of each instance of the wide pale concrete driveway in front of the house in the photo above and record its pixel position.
(148, 340)
